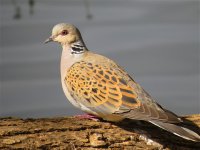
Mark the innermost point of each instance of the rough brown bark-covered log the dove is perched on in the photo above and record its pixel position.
(73, 133)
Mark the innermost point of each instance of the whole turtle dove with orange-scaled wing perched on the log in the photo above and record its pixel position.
(100, 87)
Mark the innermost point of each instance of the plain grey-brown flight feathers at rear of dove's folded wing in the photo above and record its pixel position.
(148, 110)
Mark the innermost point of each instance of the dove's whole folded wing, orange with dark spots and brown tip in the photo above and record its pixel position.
(106, 88)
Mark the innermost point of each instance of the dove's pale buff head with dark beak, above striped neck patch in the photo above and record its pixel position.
(65, 34)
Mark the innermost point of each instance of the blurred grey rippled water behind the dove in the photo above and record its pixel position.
(155, 40)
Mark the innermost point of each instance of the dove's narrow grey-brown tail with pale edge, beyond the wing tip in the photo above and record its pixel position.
(178, 130)
